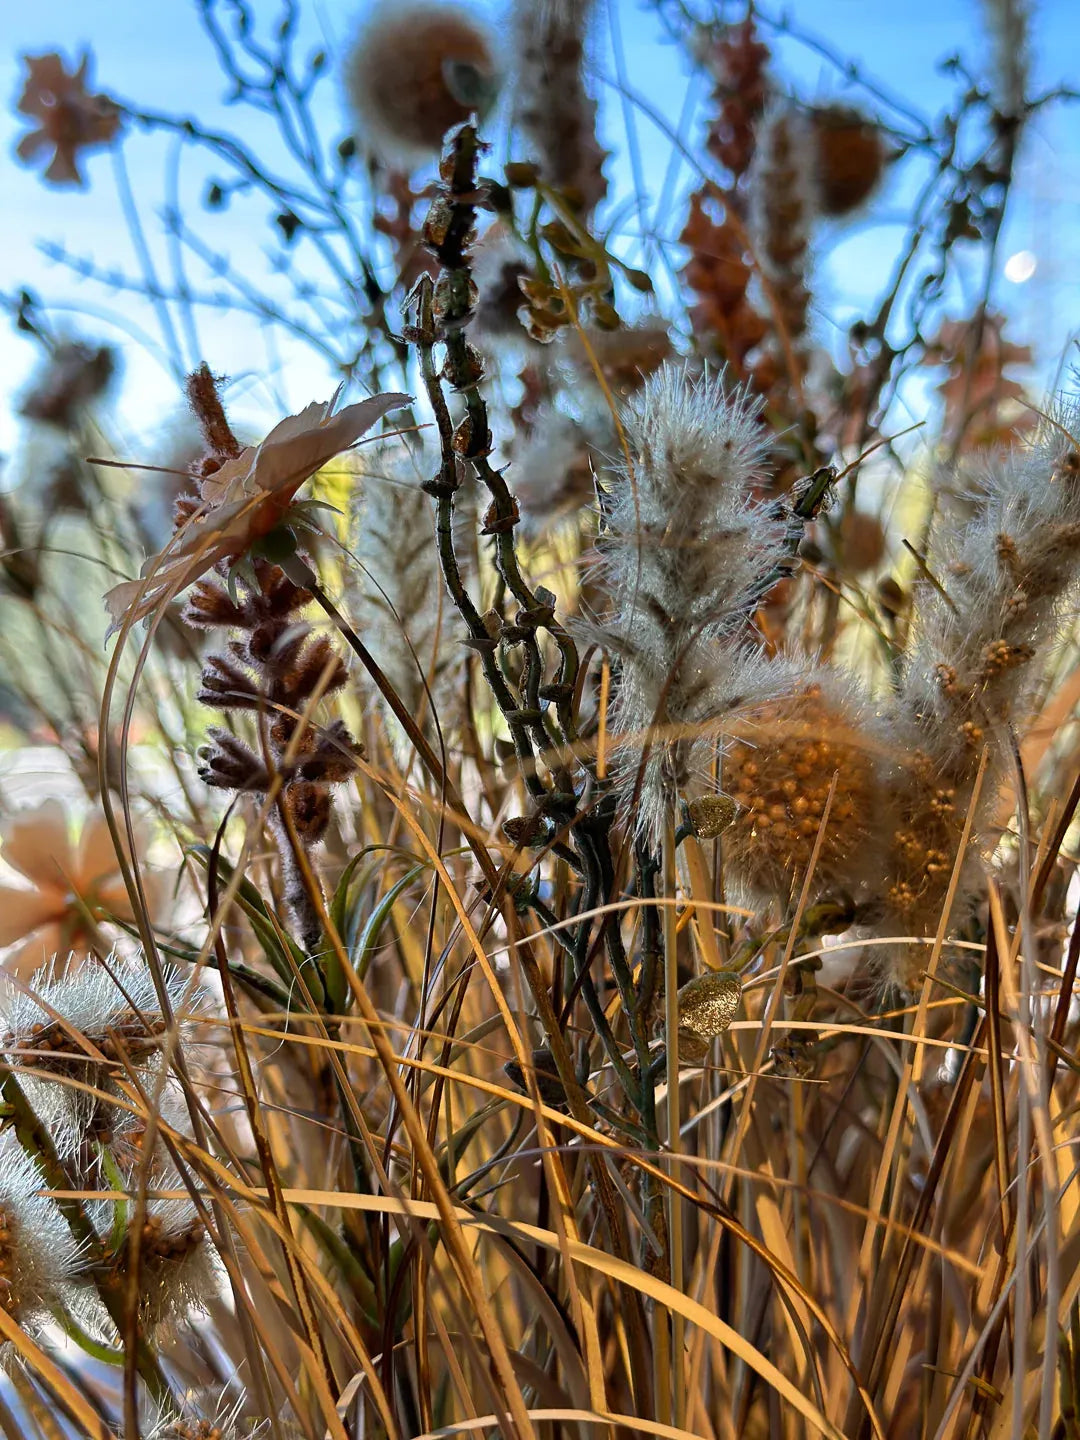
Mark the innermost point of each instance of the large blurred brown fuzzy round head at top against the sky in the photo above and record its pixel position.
(414, 73)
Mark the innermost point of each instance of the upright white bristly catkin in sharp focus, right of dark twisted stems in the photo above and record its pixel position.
(685, 555)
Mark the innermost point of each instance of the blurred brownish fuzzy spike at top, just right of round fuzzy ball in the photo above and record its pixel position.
(552, 106)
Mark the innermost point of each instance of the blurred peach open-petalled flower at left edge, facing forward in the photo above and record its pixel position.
(68, 879)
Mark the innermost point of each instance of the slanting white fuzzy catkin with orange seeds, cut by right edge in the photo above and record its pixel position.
(1006, 568)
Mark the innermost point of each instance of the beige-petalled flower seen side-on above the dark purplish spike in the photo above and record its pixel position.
(246, 500)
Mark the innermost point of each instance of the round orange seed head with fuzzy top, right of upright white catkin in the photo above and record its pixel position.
(780, 771)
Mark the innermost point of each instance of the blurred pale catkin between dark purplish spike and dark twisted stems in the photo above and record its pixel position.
(410, 621)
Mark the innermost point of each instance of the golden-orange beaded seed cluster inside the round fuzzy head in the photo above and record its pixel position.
(780, 778)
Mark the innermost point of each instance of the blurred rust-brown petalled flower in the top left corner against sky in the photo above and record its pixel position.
(70, 119)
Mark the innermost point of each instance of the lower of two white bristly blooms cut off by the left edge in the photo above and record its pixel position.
(38, 1256)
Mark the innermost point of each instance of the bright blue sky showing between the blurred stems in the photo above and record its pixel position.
(159, 55)
